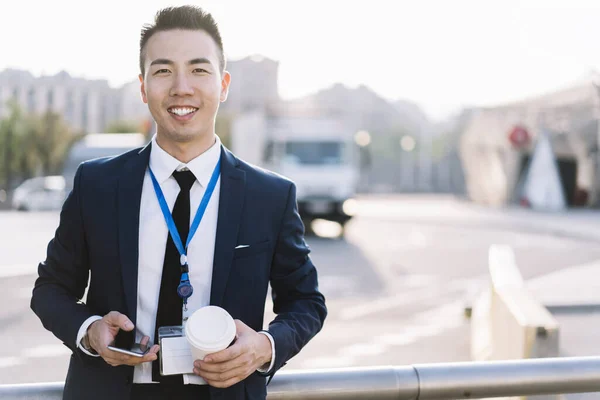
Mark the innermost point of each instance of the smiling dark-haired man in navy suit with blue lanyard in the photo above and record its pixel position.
(182, 212)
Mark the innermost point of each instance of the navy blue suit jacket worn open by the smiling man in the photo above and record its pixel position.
(98, 235)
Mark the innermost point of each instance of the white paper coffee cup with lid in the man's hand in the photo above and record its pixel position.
(208, 330)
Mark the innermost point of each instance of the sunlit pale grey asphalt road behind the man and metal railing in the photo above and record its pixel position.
(396, 285)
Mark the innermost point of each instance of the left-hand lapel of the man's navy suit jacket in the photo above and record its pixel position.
(128, 208)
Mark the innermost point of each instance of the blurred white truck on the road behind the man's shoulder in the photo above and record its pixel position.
(317, 153)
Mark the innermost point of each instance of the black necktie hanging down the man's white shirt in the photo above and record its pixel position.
(169, 303)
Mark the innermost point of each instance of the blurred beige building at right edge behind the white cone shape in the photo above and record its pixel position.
(497, 145)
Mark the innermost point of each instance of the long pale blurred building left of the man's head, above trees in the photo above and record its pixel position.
(86, 105)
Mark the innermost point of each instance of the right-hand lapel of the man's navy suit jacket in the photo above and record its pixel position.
(231, 201)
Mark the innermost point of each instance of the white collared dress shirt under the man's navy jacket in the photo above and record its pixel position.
(153, 233)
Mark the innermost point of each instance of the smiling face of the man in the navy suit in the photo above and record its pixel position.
(183, 85)
